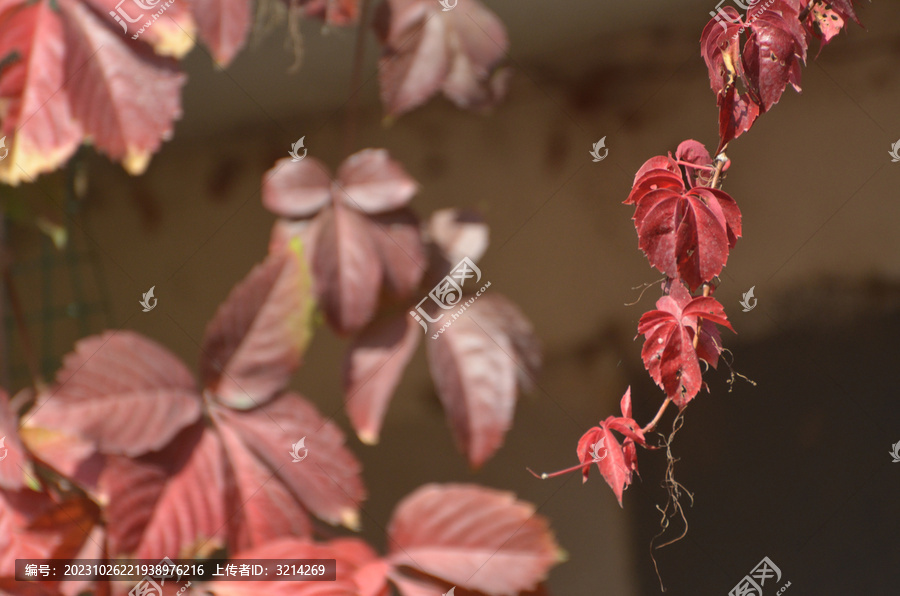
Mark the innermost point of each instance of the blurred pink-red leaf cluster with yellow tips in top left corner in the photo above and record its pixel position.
(70, 74)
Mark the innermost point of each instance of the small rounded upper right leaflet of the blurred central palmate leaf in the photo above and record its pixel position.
(372, 182)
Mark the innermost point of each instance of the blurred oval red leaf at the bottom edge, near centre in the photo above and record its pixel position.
(472, 537)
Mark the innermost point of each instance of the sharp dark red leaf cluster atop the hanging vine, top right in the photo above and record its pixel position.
(763, 51)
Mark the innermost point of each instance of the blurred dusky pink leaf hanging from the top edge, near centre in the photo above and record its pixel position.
(426, 49)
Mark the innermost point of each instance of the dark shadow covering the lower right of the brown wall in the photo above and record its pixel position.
(796, 468)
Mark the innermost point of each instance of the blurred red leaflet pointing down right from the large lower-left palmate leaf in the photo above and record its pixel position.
(327, 482)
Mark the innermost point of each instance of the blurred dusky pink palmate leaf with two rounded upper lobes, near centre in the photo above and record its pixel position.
(358, 236)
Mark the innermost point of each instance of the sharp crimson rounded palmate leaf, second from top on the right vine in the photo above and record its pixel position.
(685, 233)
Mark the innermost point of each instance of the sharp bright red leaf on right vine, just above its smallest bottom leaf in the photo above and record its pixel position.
(668, 353)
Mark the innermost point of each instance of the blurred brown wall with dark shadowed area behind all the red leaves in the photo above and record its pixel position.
(793, 466)
